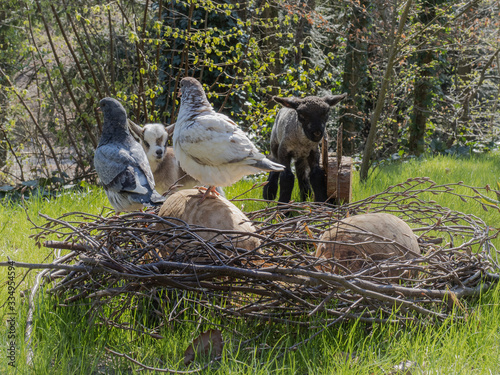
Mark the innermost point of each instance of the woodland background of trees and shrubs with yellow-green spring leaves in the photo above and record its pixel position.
(58, 59)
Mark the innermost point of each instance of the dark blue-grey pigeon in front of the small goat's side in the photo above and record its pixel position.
(121, 163)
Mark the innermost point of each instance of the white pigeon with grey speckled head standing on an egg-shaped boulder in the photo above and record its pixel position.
(210, 146)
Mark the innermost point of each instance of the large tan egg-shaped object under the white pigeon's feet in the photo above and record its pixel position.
(216, 213)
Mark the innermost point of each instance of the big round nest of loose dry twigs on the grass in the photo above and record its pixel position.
(127, 255)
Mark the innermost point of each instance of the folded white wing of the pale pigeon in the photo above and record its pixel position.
(216, 140)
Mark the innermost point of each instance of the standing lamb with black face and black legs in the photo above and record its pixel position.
(297, 131)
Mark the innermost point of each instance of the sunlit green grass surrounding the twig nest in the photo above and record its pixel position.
(67, 340)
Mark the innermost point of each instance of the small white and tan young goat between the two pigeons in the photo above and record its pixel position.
(164, 165)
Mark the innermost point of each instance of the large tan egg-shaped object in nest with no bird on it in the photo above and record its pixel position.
(368, 241)
